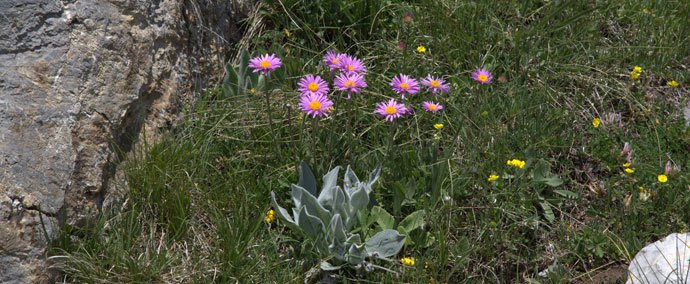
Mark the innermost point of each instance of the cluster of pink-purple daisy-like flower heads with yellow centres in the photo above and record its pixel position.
(348, 76)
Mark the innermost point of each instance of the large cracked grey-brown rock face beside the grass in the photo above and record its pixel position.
(79, 81)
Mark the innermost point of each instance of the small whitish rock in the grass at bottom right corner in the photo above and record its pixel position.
(665, 261)
